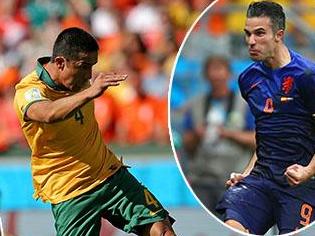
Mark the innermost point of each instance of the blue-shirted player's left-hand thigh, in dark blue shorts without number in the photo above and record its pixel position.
(248, 206)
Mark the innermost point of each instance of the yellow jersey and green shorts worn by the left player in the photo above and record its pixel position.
(74, 170)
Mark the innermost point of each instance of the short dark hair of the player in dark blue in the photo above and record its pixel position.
(270, 9)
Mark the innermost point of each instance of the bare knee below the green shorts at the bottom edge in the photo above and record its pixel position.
(159, 228)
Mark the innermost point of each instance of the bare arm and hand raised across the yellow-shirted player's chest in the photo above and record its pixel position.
(51, 111)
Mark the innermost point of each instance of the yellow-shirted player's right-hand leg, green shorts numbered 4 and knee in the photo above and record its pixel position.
(130, 206)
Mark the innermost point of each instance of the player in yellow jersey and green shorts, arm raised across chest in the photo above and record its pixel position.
(71, 166)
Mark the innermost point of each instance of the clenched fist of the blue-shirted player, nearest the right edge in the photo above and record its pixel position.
(297, 174)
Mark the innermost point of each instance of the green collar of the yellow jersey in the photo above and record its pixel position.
(43, 75)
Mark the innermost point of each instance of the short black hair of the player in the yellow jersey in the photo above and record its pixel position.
(72, 41)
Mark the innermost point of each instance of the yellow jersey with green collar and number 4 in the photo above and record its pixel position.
(69, 157)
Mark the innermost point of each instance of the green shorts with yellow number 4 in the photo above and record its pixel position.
(121, 200)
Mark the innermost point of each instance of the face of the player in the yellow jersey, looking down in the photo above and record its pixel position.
(77, 73)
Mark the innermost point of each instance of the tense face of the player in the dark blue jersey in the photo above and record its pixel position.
(260, 38)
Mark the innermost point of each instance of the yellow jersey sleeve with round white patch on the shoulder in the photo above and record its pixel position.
(25, 97)
